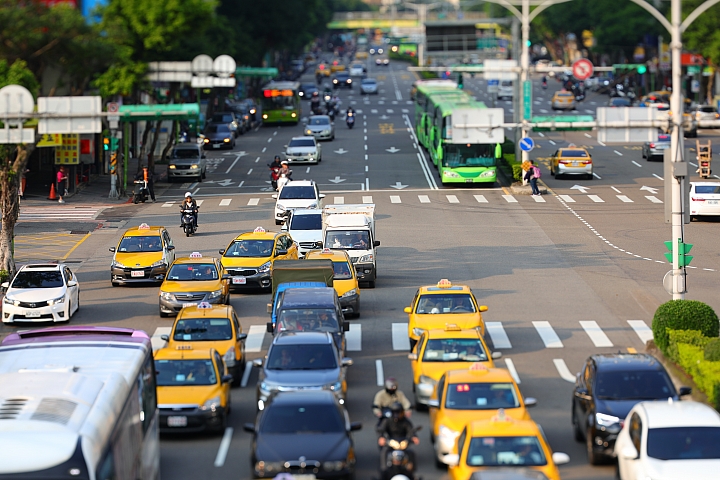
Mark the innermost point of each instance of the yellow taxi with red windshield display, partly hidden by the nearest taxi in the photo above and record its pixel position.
(473, 393)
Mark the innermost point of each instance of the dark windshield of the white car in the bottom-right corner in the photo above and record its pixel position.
(684, 443)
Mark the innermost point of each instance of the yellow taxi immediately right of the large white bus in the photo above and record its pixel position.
(193, 389)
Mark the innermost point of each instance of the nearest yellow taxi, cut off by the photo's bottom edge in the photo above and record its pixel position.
(501, 443)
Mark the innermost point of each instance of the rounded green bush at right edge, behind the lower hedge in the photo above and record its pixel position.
(683, 315)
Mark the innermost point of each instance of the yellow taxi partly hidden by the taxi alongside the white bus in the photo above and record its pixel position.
(211, 326)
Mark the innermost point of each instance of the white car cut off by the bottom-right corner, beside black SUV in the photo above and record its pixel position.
(669, 440)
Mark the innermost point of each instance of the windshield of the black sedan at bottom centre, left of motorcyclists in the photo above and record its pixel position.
(294, 419)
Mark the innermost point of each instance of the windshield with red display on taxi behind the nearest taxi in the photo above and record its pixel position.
(481, 396)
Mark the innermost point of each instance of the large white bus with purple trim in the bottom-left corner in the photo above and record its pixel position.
(78, 403)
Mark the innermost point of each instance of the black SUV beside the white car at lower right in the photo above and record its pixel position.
(606, 389)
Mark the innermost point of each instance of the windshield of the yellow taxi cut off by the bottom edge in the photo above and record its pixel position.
(496, 451)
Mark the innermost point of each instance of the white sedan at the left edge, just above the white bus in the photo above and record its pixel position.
(41, 293)
